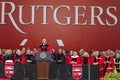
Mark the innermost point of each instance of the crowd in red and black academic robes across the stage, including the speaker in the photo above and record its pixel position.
(105, 59)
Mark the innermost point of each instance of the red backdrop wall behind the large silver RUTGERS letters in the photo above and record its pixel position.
(74, 37)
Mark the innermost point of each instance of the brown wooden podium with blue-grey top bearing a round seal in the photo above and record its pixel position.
(43, 60)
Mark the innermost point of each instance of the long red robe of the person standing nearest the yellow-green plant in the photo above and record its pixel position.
(108, 64)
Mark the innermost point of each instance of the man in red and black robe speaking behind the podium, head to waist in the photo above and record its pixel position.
(44, 46)
